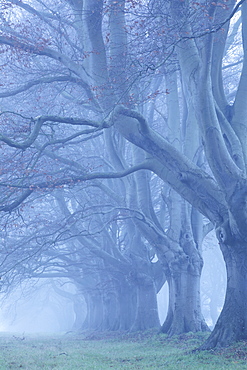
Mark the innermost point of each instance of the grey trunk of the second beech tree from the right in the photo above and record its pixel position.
(184, 310)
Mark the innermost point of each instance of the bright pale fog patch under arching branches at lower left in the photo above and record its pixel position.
(40, 310)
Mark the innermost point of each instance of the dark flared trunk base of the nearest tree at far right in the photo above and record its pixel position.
(232, 322)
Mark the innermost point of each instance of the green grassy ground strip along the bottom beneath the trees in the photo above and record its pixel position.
(139, 351)
